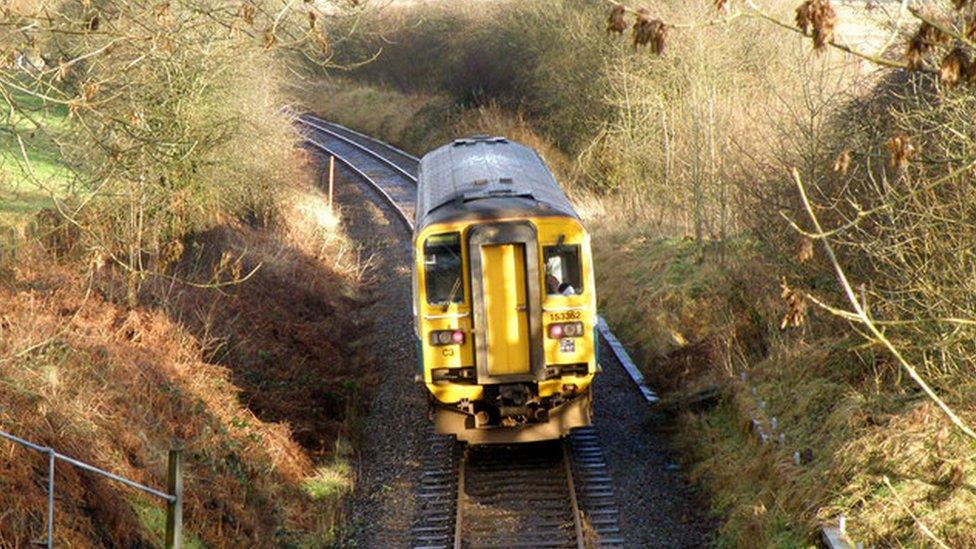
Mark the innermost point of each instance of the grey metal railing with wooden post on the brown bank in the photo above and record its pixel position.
(174, 487)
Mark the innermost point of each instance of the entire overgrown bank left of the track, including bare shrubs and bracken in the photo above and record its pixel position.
(170, 276)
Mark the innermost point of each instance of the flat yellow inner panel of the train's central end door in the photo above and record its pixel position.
(506, 311)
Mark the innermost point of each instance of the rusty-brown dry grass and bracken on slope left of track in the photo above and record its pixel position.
(256, 381)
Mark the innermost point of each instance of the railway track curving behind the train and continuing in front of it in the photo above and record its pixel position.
(553, 494)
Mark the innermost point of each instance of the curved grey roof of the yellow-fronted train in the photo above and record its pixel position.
(485, 178)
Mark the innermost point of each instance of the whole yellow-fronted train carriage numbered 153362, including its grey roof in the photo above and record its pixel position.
(504, 299)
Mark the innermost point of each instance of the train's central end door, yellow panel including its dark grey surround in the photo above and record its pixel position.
(505, 291)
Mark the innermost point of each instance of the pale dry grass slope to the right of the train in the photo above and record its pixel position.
(695, 325)
